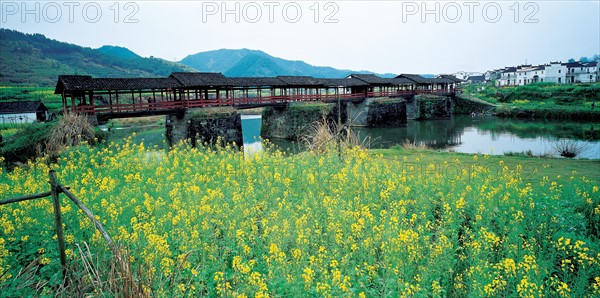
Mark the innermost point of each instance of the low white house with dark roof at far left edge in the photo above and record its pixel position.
(22, 112)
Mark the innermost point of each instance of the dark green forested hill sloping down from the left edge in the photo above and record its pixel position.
(33, 59)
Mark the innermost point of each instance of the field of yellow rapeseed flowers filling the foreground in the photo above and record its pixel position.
(212, 222)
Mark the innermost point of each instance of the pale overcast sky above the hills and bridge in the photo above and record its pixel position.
(381, 36)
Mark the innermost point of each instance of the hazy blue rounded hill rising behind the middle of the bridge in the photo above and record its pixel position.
(248, 63)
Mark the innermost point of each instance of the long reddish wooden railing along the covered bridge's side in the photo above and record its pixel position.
(229, 101)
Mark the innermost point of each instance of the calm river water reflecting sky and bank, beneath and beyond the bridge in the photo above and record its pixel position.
(466, 134)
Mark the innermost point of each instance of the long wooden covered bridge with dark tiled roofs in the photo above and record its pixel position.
(123, 97)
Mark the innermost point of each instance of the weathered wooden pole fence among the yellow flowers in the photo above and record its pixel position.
(55, 190)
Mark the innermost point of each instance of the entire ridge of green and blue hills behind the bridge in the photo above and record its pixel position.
(34, 60)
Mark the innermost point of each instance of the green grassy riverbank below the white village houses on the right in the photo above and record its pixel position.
(542, 100)
